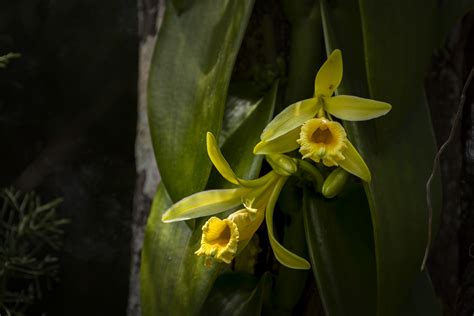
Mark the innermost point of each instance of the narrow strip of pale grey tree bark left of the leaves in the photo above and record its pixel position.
(150, 14)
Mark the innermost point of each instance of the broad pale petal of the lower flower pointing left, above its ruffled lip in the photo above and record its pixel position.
(204, 203)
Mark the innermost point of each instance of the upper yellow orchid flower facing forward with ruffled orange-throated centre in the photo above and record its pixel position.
(308, 125)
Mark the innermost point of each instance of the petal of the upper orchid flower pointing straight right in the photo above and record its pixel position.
(352, 108)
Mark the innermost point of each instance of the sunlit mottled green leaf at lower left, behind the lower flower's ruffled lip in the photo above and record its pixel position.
(169, 263)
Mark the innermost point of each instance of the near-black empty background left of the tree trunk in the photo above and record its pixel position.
(67, 129)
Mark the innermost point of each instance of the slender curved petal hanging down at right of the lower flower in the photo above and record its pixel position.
(283, 255)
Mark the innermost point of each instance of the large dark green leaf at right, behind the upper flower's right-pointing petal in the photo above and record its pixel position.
(386, 50)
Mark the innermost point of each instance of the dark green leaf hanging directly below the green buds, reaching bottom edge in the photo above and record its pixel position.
(341, 246)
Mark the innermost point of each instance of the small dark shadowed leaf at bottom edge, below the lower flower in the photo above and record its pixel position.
(237, 294)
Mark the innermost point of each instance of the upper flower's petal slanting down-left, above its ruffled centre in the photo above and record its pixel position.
(290, 118)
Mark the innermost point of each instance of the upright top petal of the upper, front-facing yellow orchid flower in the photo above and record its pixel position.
(329, 75)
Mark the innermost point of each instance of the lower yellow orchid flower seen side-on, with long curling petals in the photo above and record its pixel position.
(223, 239)
